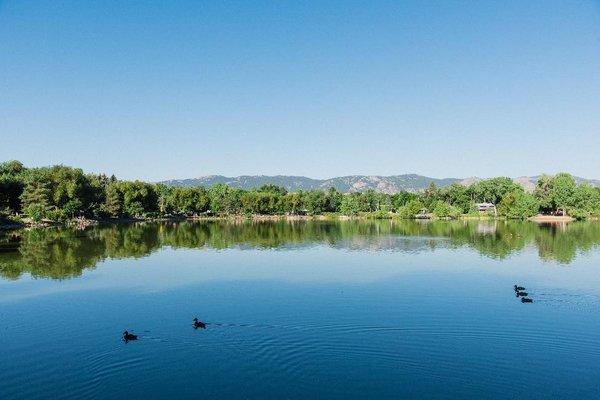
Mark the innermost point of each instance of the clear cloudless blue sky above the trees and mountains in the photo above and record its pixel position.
(178, 89)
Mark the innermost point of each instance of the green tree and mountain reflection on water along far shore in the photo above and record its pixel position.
(61, 253)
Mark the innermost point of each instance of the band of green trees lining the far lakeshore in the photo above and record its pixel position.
(60, 193)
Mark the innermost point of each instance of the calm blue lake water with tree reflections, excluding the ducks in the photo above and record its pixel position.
(348, 310)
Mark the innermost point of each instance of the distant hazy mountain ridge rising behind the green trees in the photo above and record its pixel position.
(347, 184)
